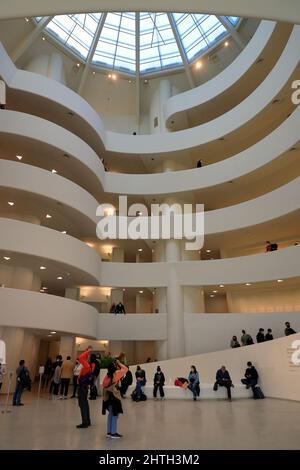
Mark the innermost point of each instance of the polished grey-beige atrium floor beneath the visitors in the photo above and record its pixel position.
(172, 424)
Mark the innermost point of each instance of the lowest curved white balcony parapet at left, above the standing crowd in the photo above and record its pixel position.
(20, 308)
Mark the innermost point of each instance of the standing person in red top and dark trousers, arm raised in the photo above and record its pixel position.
(84, 379)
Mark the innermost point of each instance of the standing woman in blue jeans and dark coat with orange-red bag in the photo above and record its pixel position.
(112, 397)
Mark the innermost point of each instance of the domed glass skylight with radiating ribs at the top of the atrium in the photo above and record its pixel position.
(140, 43)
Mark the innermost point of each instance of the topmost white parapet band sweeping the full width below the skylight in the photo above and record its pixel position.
(177, 141)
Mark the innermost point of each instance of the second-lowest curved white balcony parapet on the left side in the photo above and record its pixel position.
(46, 244)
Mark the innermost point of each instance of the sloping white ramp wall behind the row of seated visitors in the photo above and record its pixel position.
(278, 377)
